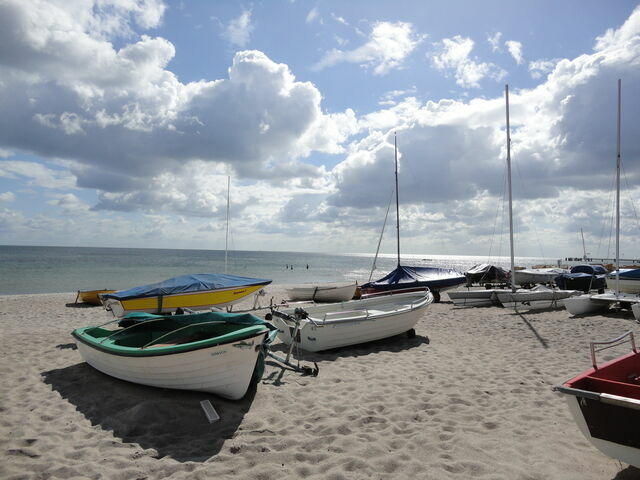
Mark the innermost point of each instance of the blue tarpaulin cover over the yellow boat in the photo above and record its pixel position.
(187, 284)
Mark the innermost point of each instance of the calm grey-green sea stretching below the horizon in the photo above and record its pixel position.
(40, 269)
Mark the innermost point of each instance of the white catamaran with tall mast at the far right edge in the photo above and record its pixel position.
(584, 304)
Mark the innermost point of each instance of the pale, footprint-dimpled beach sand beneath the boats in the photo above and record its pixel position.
(469, 397)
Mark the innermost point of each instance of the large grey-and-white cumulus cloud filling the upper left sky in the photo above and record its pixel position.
(120, 116)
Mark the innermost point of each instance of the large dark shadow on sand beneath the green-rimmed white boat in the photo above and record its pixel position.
(169, 421)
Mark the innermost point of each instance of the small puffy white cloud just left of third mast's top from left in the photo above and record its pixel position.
(454, 56)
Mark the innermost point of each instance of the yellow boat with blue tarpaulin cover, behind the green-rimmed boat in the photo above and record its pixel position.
(200, 291)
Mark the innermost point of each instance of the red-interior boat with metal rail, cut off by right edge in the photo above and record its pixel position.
(605, 402)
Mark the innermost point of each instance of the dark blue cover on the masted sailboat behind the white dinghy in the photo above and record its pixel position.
(414, 277)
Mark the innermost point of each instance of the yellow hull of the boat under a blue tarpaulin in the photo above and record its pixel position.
(202, 300)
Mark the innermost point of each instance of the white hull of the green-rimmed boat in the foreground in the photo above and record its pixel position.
(224, 370)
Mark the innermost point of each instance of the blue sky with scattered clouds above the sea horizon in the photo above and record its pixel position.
(122, 122)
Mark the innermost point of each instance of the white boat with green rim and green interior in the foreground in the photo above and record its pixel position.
(214, 352)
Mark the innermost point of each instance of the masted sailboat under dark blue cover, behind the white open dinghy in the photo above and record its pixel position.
(408, 278)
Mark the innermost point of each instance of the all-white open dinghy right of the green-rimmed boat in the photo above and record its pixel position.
(321, 327)
